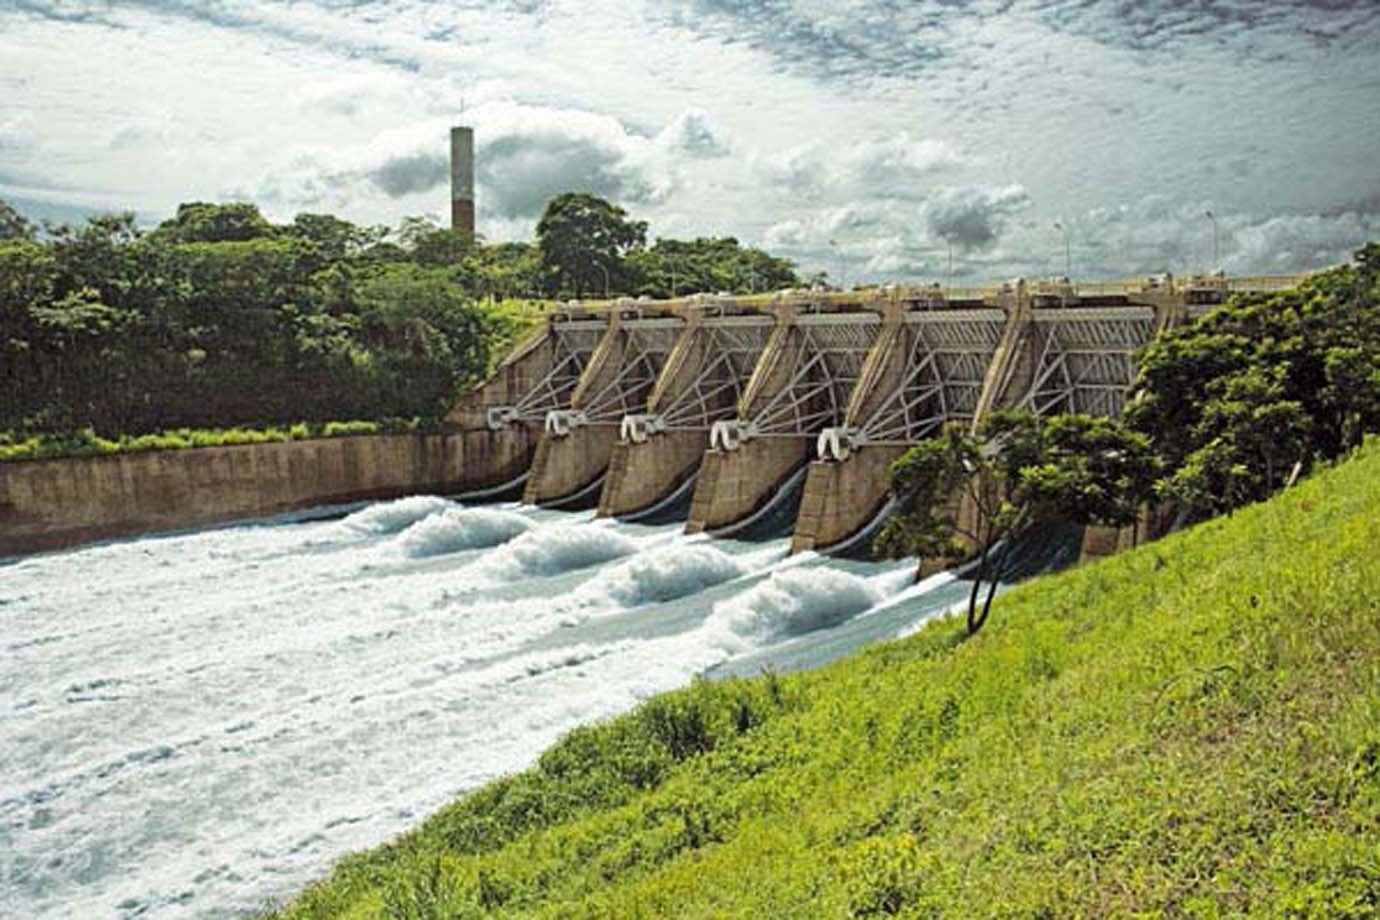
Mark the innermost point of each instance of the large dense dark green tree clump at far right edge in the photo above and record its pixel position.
(1263, 387)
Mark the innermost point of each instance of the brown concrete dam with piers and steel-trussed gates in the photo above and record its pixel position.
(631, 405)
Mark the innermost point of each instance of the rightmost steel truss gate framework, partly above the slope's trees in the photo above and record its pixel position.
(1087, 359)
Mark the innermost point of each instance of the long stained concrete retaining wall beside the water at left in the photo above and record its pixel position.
(53, 504)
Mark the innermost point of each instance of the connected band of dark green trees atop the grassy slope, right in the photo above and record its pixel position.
(1225, 412)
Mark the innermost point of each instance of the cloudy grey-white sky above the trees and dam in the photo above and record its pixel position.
(863, 137)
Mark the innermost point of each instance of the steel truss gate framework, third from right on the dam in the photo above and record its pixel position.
(831, 352)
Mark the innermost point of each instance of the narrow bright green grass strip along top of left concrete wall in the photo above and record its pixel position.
(88, 443)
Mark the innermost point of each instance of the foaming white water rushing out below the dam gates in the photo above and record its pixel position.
(194, 726)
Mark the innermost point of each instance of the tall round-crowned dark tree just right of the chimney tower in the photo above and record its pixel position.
(583, 241)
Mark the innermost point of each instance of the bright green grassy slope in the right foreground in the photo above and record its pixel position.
(1192, 729)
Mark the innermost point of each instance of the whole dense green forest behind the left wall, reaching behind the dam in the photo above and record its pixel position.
(219, 318)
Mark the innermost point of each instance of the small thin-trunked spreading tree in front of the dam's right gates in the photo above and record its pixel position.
(993, 486)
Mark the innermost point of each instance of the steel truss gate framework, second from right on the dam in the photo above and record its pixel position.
(947, 357)
